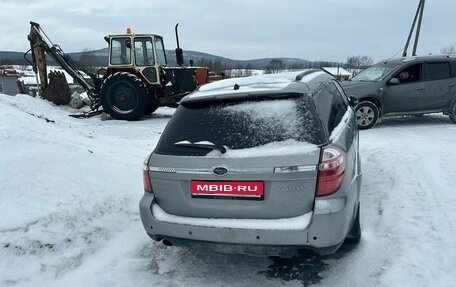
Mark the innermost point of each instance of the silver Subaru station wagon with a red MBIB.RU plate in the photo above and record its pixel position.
(263, 165)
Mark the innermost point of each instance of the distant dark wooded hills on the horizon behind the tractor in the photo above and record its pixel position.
(100, 58)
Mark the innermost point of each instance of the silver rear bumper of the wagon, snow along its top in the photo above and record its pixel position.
(324, 231)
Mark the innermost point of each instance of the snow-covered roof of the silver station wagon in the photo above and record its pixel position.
(260, 84)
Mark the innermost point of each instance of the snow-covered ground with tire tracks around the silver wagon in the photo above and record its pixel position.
(69, 193)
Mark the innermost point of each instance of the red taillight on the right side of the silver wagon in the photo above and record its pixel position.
(330, 170)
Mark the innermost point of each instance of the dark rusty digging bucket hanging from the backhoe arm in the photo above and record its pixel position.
(57, 91)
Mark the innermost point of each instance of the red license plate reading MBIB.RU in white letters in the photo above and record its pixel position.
(227, 189)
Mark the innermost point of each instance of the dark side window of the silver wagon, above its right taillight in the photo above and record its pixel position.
(331, 106)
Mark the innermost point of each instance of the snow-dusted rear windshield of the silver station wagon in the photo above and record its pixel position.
(241, 124)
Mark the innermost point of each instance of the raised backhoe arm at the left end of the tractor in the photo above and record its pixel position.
(40, 46)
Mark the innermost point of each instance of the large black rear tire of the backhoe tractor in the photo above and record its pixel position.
(123, 96)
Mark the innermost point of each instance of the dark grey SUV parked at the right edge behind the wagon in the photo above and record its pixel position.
(405, 86)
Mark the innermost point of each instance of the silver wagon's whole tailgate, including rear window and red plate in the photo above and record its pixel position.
(245, 158)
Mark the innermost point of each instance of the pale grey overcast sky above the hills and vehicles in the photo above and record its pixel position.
(239, 29)
